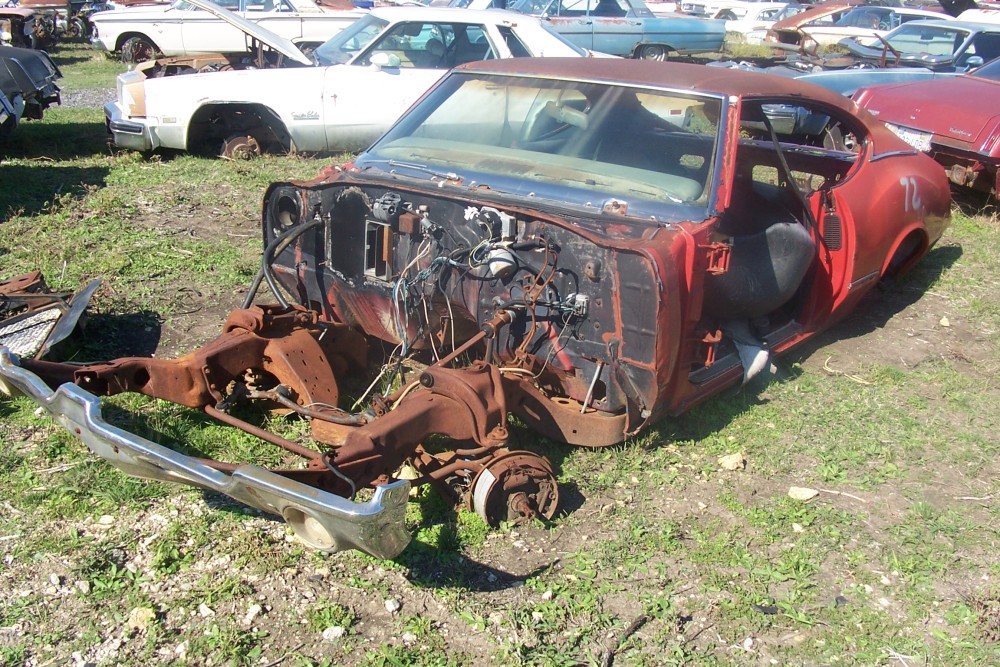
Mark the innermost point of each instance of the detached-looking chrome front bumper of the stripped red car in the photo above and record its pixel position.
(322, 520)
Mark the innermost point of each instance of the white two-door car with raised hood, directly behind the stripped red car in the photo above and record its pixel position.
(356, 86)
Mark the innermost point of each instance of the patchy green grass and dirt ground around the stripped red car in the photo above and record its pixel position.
(661, 557)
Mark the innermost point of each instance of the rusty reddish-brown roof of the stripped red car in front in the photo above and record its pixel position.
(712, 80)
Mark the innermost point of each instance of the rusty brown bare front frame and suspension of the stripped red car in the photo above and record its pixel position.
(286, 357)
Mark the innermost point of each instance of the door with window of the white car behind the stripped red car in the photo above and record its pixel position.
(363, 99)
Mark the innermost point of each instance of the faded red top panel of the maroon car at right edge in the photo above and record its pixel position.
(941, 106)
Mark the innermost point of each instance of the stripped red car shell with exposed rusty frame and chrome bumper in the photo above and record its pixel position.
(601, 244)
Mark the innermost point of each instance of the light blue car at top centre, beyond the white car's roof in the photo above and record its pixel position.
(625, 27)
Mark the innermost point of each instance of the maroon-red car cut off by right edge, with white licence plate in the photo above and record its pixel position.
(955, 120)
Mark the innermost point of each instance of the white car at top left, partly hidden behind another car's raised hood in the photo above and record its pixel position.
(185, 28)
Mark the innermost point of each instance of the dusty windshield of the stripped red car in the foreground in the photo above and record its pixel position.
(575, 143)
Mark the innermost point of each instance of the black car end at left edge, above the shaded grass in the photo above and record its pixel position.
(28, 82)
